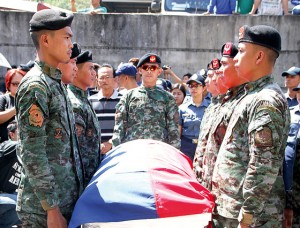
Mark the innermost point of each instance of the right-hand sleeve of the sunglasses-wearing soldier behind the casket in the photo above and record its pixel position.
(172, 119)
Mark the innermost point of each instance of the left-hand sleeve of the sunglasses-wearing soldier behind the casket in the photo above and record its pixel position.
(120, 122)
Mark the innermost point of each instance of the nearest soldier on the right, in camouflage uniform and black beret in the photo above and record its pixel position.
(246, 179)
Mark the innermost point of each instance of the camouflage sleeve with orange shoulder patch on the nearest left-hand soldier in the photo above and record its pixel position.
(32, 114)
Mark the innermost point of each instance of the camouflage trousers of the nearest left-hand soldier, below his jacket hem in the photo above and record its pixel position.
(36, 220)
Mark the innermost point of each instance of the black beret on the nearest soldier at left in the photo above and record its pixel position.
(50, 19)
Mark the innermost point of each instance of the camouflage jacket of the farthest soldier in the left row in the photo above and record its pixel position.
(88, 131)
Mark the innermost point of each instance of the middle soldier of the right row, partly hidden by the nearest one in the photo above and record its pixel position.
(210, 141)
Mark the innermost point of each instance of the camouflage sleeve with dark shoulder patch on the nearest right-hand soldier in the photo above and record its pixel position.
(267, 136)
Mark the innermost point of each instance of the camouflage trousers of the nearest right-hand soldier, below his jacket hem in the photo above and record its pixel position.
(222, 222)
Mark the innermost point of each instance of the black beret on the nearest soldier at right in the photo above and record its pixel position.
(263, 35)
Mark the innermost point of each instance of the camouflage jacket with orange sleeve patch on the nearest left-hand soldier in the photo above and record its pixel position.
(48, 145)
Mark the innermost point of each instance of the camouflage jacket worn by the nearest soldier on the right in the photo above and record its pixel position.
(246, 174)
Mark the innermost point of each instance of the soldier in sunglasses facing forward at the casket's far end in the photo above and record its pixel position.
(147, 112)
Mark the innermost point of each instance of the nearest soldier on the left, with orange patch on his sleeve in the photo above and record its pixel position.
(53, 179)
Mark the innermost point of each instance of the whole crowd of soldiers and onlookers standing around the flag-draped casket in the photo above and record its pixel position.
(231, 120)
